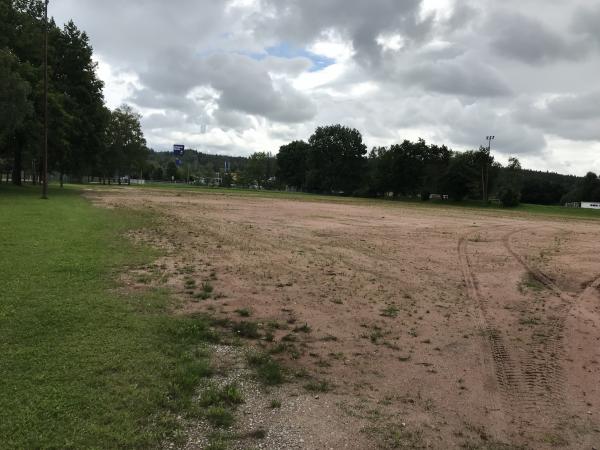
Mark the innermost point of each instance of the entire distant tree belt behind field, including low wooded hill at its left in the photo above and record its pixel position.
(335, 160)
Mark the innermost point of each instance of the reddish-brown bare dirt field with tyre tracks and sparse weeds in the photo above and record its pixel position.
(426, 328)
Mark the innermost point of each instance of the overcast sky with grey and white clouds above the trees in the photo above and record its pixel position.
(240, 76)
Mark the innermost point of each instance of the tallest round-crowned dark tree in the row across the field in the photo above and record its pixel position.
(336, 159)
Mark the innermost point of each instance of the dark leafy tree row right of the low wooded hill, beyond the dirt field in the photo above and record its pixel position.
(335, 160)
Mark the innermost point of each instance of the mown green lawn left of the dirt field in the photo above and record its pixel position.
(85, 365)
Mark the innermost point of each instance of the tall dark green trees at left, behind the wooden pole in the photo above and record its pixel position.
(85, 138)
